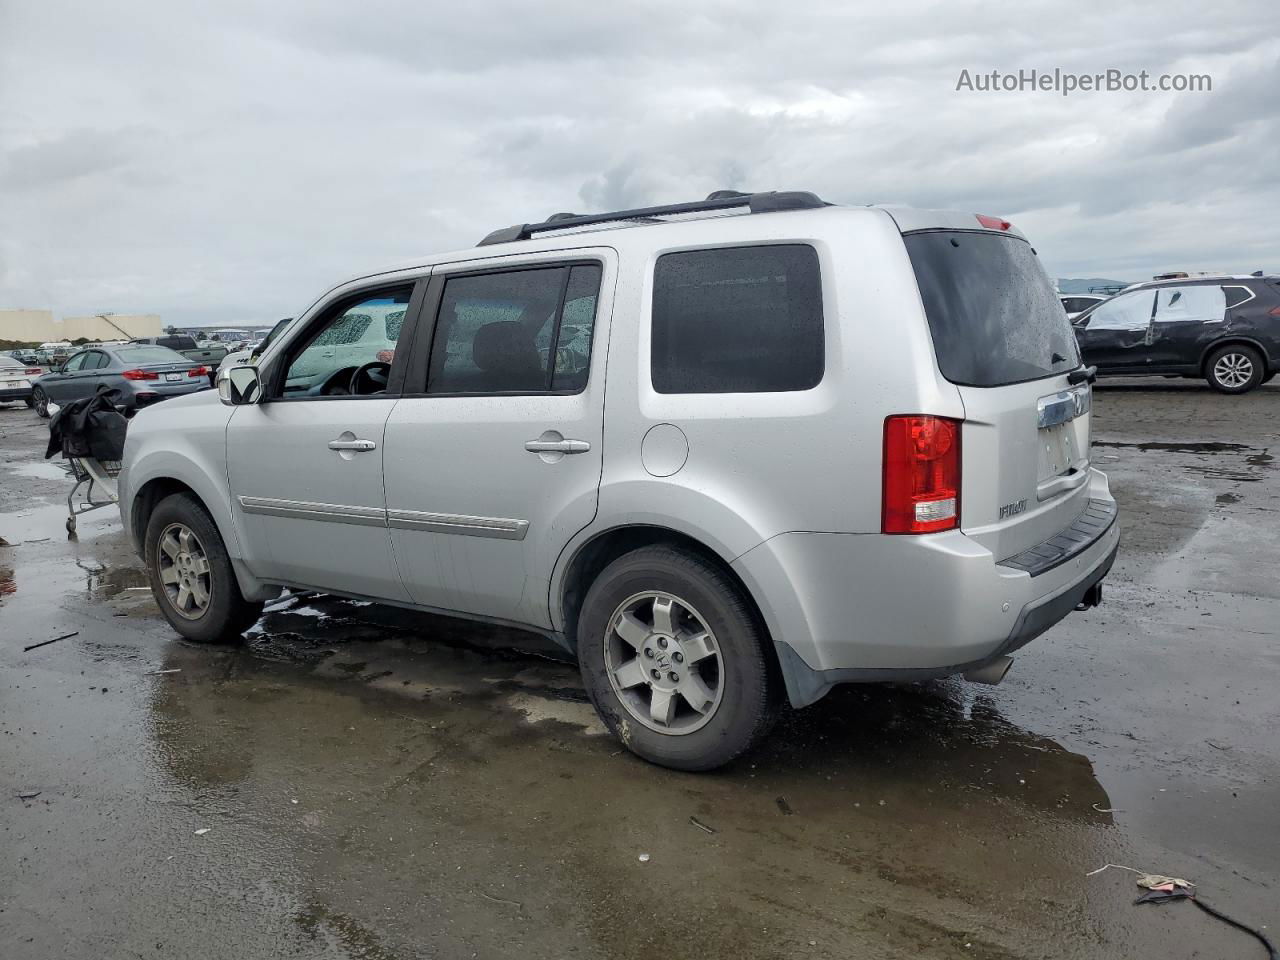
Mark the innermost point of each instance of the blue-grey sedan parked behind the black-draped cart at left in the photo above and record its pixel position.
(143, 373)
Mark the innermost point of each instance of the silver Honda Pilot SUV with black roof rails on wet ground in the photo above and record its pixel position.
(730, 454)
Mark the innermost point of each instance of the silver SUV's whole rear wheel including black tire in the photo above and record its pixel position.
(715, 653)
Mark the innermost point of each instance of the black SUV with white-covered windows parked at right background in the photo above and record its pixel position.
(1226, 330)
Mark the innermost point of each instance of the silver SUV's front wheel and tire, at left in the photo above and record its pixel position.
(226, 614)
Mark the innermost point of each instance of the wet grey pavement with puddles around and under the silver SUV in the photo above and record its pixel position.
(356, 781)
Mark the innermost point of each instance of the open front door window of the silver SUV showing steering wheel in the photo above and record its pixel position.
(359, 333)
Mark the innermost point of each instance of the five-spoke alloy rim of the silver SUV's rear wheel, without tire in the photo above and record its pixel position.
(664, 664)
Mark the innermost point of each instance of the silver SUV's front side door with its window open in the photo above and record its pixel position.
(307, 464)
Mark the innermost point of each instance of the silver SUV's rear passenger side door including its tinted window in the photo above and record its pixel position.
(495, 465)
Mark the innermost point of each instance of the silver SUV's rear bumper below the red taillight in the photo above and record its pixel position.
(865, 607)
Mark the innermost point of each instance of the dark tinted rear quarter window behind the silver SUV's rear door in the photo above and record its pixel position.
(738, 321)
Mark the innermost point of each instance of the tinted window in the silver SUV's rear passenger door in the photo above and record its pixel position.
(518, 332)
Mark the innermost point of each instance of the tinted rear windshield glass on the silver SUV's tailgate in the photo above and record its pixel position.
(993, 310)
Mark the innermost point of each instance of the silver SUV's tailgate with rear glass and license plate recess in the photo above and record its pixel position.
(1002, 337)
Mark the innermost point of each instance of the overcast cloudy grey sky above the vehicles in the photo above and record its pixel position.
(226, 163)
